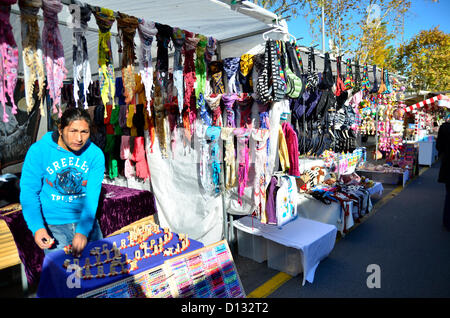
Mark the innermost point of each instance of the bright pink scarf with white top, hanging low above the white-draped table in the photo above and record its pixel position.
(242, 136)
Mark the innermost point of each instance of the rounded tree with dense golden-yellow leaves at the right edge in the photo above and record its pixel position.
(425, 59)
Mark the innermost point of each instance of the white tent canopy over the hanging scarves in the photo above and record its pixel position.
(237, 28)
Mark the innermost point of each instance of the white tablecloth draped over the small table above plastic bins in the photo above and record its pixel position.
(314, 240)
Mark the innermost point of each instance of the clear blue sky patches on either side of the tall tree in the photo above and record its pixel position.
(423, 15)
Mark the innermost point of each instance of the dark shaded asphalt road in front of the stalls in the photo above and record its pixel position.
(404, 238)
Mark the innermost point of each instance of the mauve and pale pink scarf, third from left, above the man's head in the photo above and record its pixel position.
(53, 52)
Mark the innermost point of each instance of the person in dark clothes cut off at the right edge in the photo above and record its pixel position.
(443, 148)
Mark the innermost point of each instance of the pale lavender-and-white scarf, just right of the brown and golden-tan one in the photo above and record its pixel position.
(146, 32)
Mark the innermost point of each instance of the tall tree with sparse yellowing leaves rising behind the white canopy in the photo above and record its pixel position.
(349, 24)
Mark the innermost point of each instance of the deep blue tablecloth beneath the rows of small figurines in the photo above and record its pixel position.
(57, 281)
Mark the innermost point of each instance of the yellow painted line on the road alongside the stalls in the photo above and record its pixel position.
(279, 279)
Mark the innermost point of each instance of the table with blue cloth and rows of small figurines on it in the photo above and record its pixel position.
(58, 277)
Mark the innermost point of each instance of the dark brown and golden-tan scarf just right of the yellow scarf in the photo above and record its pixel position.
(126, 27)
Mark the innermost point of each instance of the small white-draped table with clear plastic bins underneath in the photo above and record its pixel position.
(298, 246)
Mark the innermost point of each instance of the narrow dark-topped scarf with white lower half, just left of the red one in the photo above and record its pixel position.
(178, 39)
